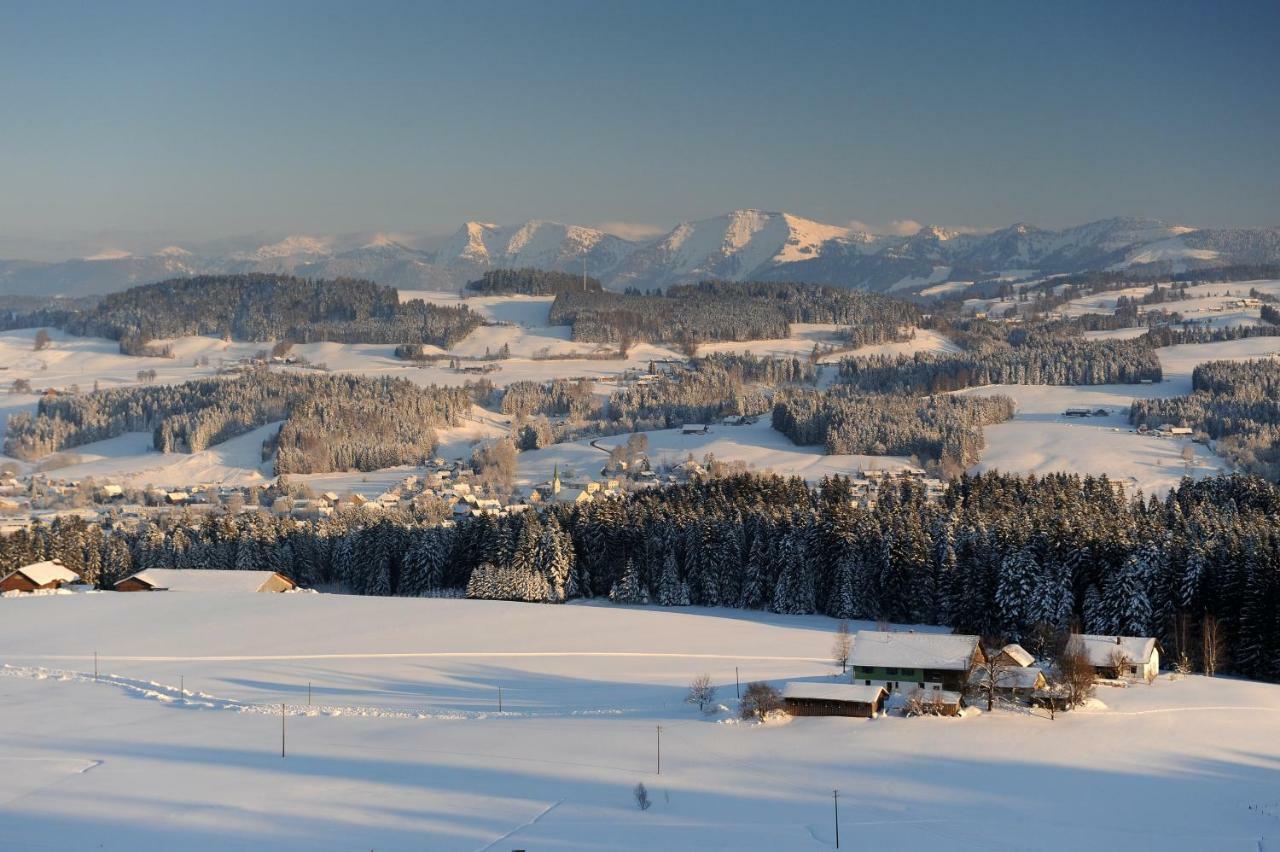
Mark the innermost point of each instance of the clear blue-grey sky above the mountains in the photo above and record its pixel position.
(134, 122)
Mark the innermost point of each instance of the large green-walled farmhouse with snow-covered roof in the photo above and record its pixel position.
(932, 662)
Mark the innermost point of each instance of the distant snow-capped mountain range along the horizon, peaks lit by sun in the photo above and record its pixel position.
(743, 245)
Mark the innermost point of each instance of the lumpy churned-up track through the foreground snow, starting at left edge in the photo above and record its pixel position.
(173, 697)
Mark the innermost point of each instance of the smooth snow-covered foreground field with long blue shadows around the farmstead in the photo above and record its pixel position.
(404, 748)
